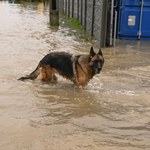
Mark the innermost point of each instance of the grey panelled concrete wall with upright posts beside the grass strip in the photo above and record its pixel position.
(90, 14)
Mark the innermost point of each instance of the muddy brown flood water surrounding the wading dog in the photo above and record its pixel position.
(111, 113)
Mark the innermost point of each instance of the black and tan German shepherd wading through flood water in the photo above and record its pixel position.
(77, 68)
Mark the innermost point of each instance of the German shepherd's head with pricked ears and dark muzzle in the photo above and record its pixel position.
(96, 61)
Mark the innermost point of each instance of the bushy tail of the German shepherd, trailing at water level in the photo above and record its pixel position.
(33, 75)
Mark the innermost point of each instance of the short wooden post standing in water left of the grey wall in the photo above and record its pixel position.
(53, 13)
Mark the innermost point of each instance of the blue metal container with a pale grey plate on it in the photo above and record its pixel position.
(134, 19)
